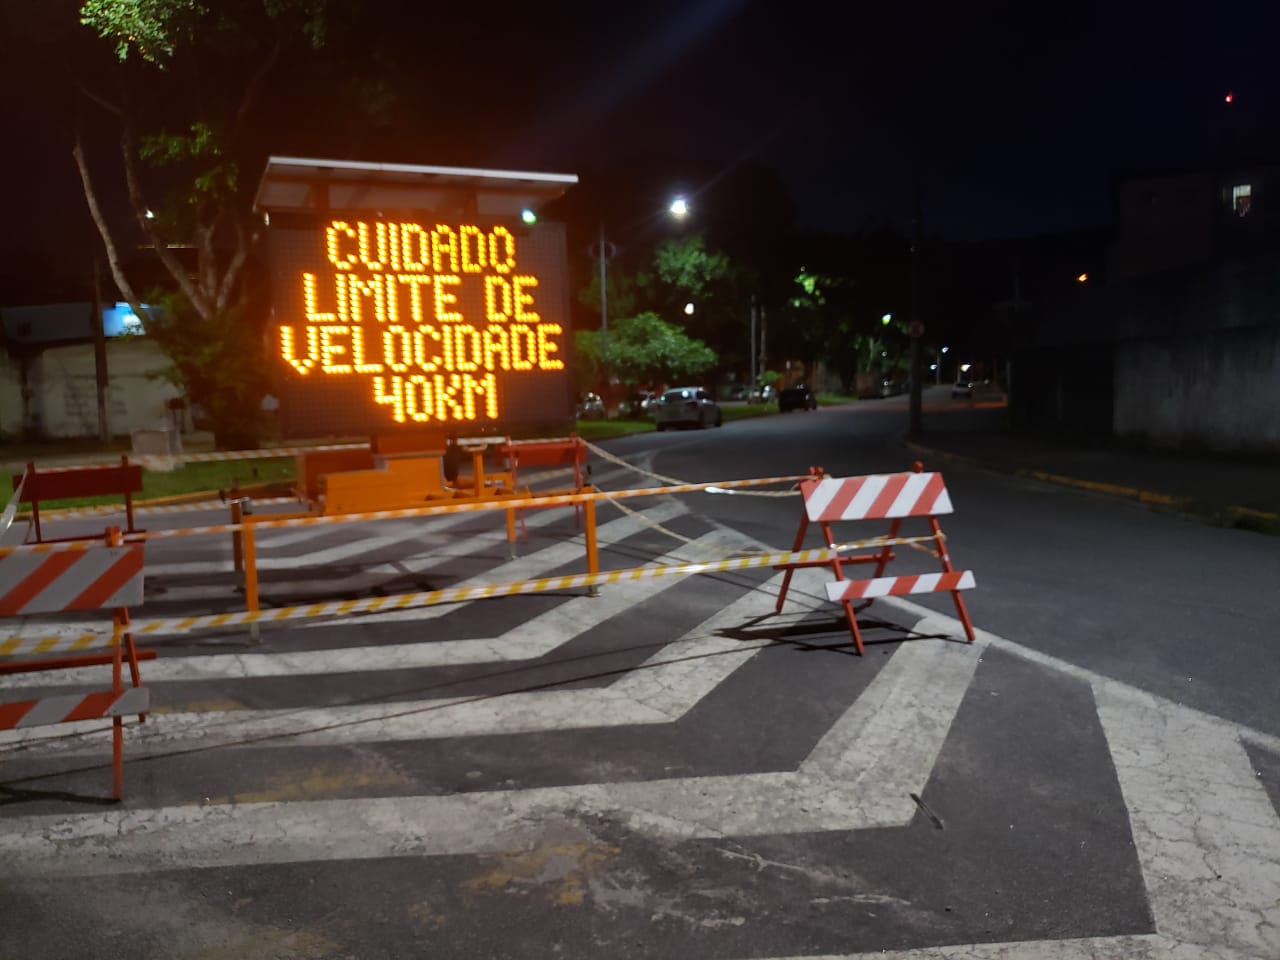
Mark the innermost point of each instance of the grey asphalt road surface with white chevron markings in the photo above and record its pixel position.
(670, 770)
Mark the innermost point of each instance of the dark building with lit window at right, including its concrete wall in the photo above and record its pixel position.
(1181, 348)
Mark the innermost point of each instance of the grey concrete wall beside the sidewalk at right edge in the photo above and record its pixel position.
(1218, 392)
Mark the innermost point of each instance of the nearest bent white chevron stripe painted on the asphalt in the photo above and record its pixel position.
(856, 779)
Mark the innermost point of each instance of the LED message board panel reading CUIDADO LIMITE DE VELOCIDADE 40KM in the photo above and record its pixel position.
(394, 324)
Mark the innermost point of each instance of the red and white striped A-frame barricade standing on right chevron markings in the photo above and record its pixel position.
(894, 497)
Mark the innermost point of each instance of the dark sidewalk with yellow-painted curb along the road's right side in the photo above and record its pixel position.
(1220, 491)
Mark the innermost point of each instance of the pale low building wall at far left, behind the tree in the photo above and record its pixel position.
(63, 387)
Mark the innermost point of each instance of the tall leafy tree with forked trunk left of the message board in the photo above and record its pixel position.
(184, 166)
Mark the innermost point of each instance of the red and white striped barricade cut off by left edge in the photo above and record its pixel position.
(94, 579)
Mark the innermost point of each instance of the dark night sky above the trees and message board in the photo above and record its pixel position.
(1014, 117)
